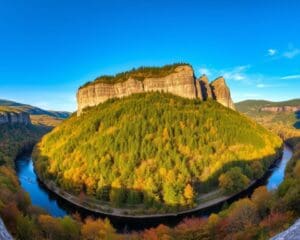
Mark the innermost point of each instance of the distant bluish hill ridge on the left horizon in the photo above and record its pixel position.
(33, 110)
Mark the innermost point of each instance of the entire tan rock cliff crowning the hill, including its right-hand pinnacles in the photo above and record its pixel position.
(181, 82)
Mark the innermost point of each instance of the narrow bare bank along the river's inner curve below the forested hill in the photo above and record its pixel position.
(125, 213)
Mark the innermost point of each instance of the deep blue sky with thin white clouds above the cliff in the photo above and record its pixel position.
(49, 48)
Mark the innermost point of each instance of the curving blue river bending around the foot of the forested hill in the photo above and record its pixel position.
(57, 207)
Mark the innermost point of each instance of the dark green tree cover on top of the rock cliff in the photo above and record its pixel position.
(139, 74)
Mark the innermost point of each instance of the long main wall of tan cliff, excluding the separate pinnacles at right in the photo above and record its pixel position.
(181, 83)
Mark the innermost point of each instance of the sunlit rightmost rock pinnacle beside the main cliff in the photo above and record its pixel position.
(221, 92)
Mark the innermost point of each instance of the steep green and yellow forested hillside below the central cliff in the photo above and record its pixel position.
(154, 148)
